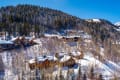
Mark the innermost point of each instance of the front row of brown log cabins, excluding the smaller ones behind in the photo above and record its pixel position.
(46, 63)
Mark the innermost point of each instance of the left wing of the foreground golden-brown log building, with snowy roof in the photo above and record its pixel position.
(43, 62)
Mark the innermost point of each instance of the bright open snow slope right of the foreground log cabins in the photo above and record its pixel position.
(108, 68)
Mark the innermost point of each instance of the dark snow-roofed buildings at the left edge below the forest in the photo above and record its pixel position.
(16, 43)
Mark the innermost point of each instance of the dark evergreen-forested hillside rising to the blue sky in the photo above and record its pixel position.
(28, 18)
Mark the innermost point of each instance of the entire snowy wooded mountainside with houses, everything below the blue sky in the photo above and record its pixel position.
(38, 43)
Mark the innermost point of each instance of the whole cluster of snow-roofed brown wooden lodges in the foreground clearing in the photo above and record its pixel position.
(58, 60)
